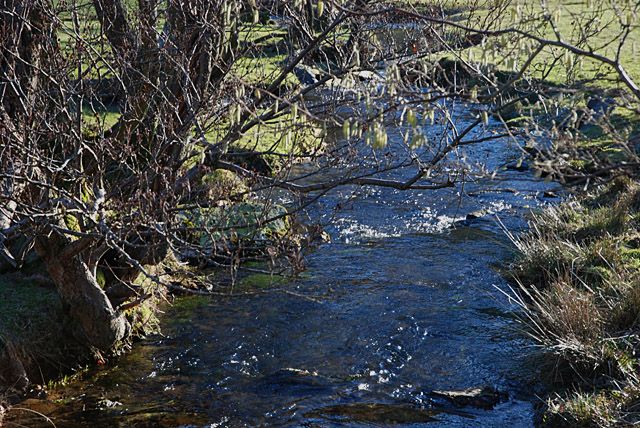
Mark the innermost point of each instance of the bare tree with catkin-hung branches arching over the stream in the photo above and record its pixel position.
(114, 114)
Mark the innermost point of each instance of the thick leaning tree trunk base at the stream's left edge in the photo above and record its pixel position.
(101, 325)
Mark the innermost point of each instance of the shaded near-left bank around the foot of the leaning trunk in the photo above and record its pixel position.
(38, 343)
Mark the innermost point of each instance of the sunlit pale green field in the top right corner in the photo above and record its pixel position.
(568, 18)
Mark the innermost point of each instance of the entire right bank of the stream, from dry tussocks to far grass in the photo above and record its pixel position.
(577, 272)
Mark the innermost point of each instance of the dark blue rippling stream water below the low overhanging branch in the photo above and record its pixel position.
(398, 305)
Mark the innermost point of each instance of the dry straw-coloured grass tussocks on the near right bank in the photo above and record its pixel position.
(578, 276)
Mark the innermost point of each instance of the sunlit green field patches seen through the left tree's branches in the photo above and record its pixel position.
(262, 64)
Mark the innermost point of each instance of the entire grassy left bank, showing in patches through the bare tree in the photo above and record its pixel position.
(38, 341)
